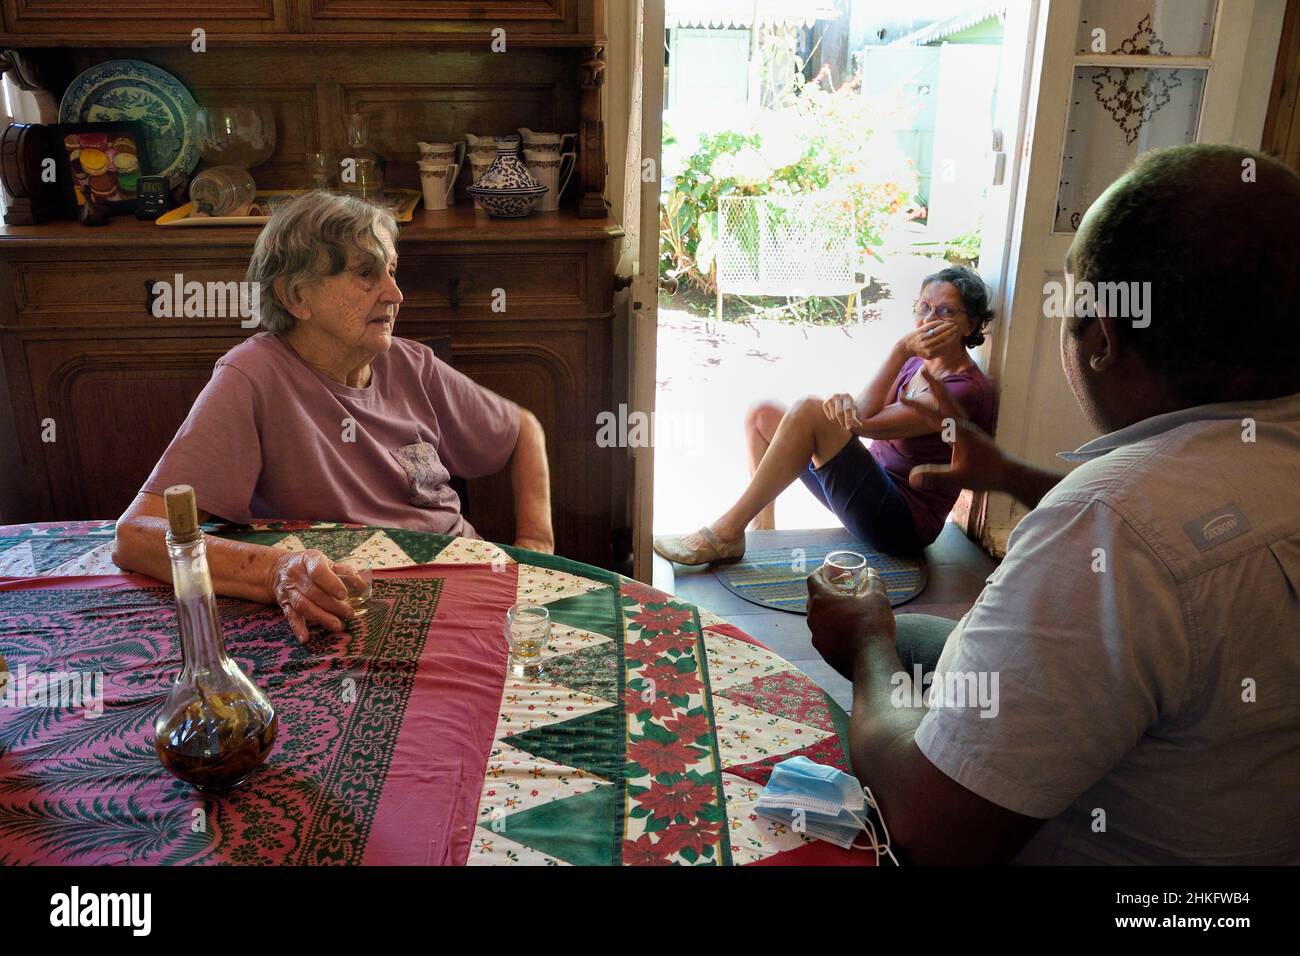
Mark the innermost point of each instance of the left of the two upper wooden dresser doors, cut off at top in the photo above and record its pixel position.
(111, 19)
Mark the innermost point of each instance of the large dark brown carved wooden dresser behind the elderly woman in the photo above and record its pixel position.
(83, 349)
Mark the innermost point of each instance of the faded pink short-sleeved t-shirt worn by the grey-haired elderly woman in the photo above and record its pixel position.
(272, 438)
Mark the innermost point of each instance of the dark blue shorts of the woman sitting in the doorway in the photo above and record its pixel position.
(866, 500)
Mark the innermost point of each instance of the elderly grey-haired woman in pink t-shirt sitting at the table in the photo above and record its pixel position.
(328, 417)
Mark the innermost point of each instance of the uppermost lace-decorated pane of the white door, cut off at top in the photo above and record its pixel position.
(1156, 28)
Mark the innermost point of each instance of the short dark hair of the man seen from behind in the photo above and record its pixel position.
(1219, 239)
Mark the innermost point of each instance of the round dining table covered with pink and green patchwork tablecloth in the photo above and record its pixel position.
(406, 739)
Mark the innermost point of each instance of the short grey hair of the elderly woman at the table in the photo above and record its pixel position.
(311, 236)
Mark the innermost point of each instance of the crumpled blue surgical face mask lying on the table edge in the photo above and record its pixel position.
(822, 802)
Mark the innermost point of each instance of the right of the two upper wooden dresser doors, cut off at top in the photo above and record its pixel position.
(526, 18)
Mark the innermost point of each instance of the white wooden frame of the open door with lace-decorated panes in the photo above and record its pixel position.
(1038, 416)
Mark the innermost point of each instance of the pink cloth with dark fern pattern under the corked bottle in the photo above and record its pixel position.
(383, 736)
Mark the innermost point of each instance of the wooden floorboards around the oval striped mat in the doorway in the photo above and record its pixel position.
(957, 572)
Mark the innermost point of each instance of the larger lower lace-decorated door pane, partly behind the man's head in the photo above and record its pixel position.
(1117, 115)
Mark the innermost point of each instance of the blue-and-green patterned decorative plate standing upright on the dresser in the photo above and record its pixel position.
(137, 90)
